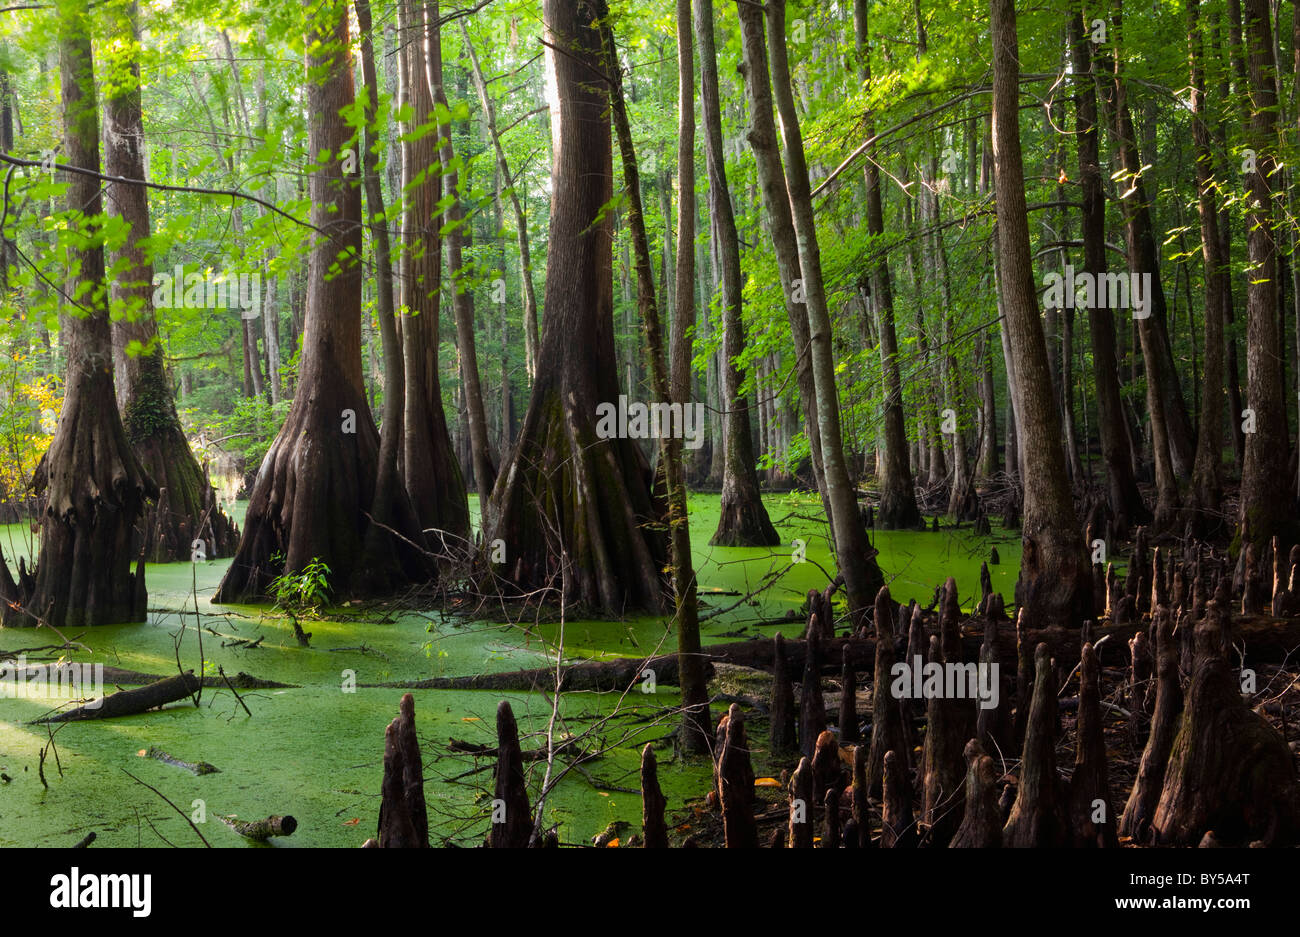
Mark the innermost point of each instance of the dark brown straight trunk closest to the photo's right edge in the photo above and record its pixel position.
(1264, 474)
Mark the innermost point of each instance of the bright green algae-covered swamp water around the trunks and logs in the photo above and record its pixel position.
(315, 749)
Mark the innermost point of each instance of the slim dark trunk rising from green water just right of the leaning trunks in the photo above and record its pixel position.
(898, 491)
